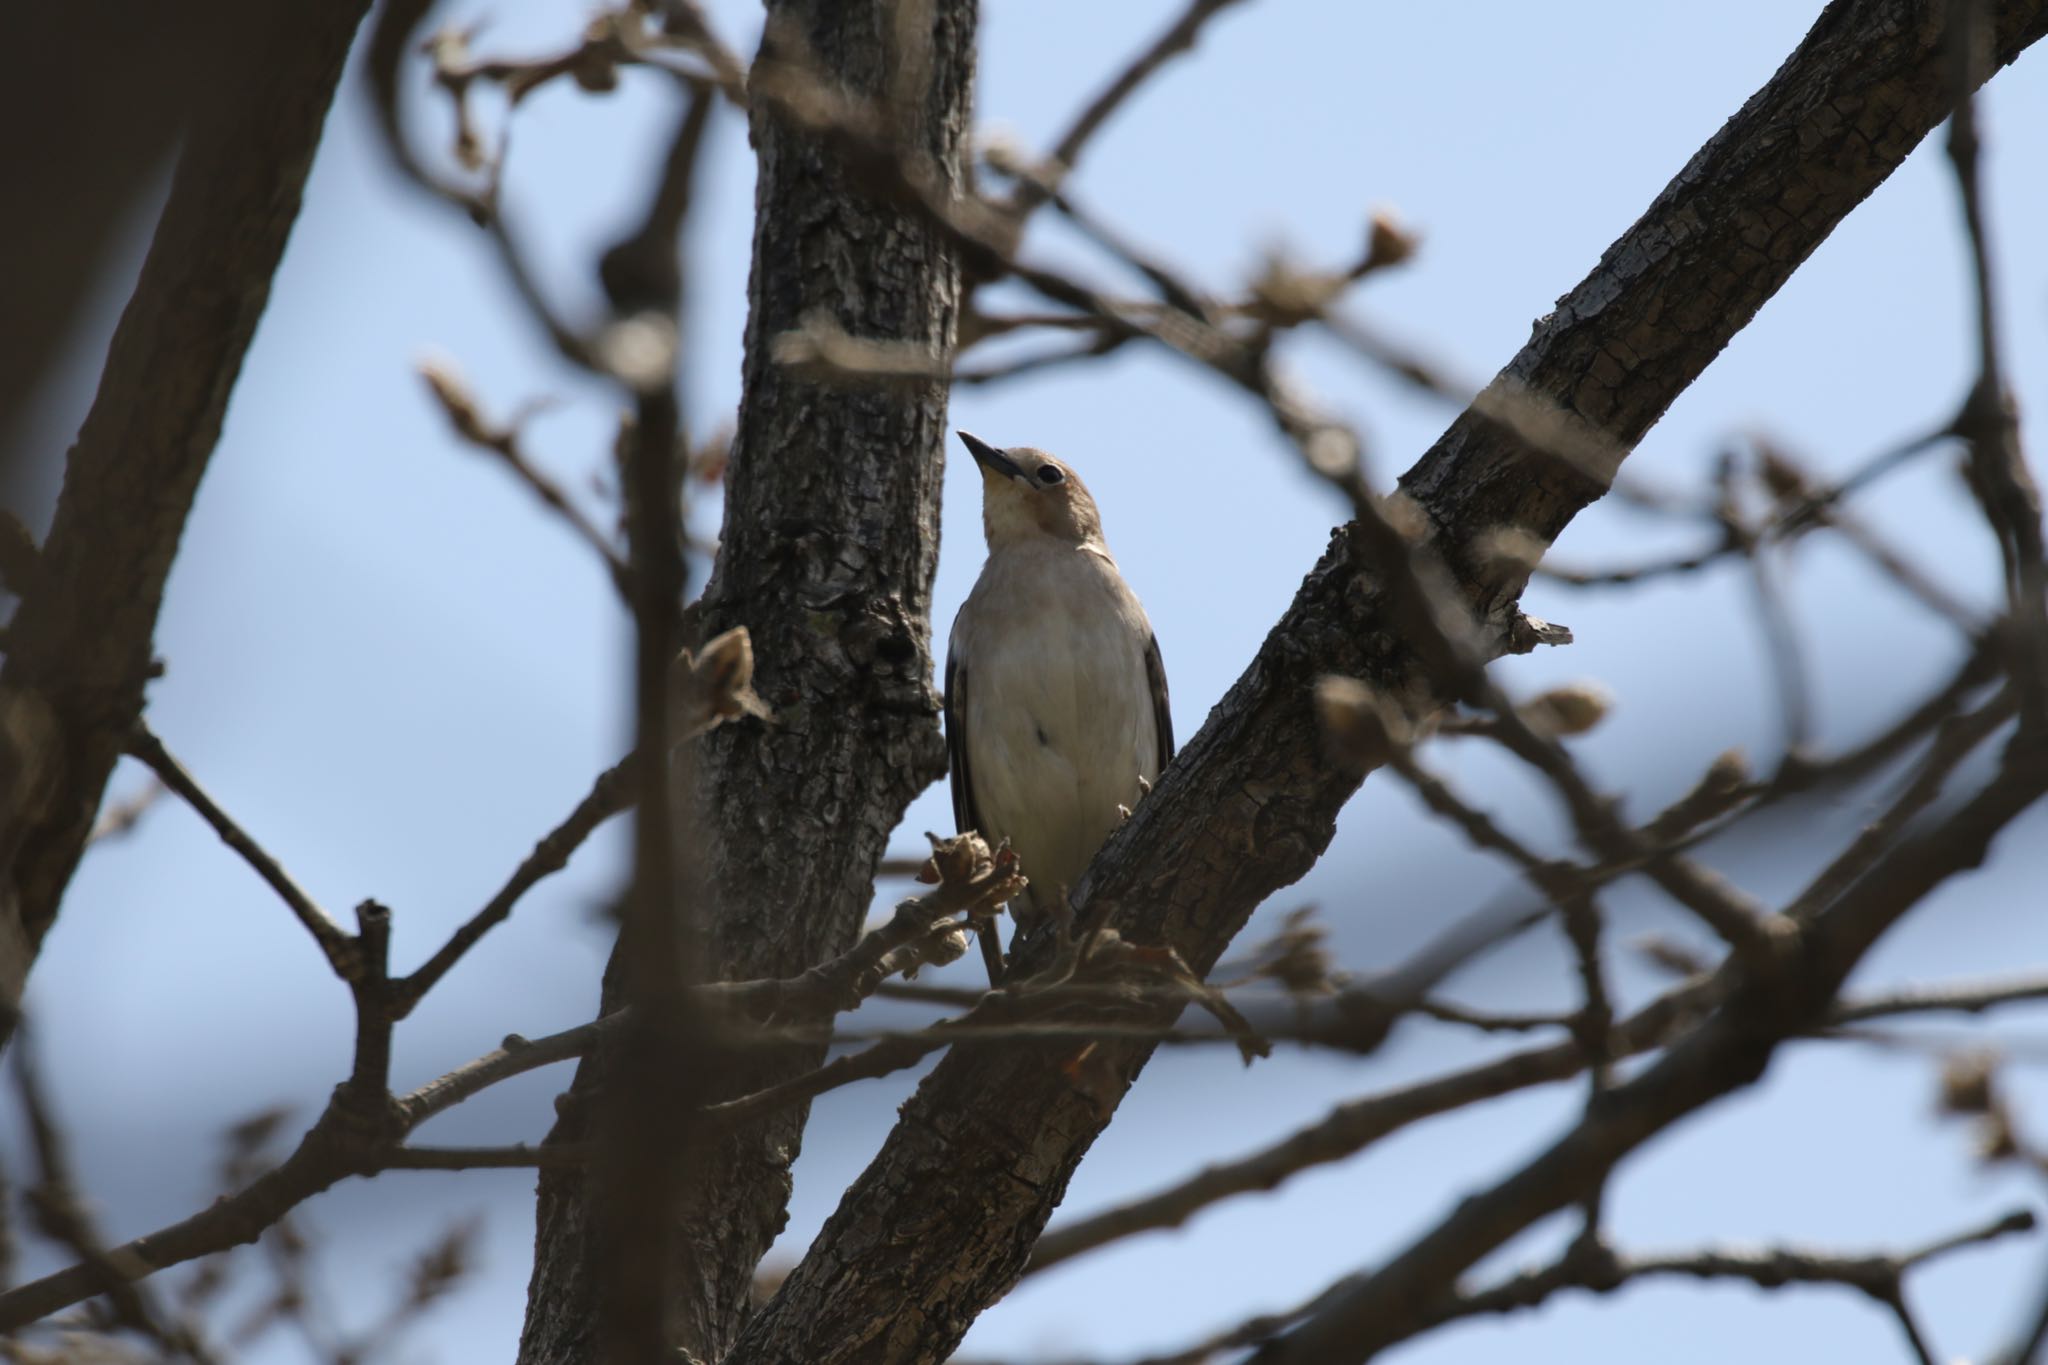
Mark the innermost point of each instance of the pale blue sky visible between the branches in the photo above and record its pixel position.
(398, 670)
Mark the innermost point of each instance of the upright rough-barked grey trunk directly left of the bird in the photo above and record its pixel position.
(828, 554)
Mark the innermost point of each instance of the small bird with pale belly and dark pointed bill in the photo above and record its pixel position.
(1056, 693)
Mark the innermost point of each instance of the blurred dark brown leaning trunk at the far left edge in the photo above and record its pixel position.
(81, 644)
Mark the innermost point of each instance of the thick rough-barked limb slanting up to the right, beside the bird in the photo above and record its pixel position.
(945, 1217)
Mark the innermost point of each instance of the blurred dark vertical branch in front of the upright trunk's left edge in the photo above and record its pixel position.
(644, 1122)
